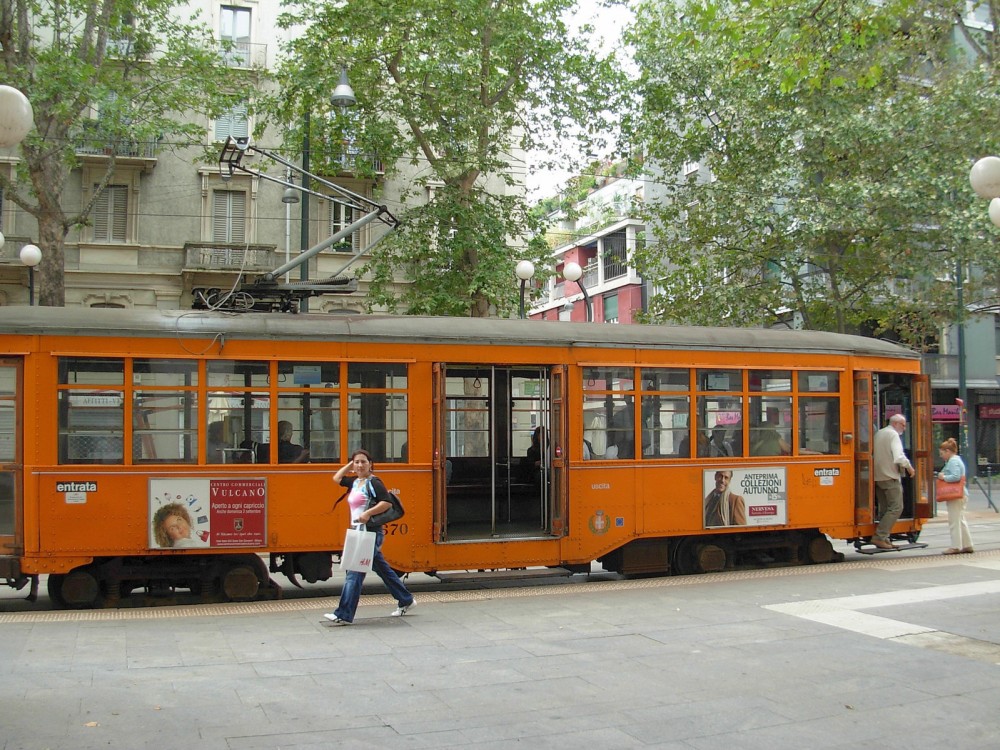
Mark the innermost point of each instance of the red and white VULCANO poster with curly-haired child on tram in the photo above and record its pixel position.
(187, 513)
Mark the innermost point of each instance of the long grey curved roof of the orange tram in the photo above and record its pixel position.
(76, 321)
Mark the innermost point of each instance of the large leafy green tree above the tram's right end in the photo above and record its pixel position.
(838, 138)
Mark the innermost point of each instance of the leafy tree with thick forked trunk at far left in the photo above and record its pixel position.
(136, 64)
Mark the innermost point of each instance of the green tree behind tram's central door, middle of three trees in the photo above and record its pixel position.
(451, 89)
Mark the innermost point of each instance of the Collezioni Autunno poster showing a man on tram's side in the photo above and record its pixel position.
(745, 497)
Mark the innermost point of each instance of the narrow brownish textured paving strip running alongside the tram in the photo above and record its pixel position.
(22, 611)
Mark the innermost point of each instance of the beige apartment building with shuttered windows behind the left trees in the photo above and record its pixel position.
(171, 224)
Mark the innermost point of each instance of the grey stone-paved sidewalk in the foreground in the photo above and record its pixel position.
(893, 651)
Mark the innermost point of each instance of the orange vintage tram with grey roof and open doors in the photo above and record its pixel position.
(153, 449)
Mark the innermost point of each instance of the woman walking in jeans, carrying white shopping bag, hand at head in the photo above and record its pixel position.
(364, 490)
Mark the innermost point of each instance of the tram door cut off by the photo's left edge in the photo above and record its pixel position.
(10, 466)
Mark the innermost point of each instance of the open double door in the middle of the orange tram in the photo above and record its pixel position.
(497, 470)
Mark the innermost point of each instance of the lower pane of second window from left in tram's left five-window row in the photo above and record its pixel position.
(165, 427)
